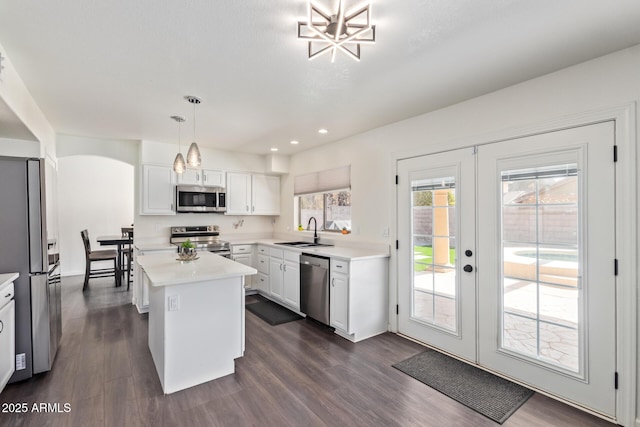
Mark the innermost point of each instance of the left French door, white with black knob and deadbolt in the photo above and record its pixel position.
(437, 220)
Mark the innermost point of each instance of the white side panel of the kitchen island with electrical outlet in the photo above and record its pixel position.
(204, 335)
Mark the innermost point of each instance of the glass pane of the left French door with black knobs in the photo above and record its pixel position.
(434, 286)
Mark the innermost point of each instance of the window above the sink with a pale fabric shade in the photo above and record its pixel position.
(325, 196)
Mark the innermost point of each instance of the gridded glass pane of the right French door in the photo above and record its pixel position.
(541, 292)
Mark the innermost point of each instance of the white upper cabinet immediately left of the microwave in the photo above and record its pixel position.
(157, 190)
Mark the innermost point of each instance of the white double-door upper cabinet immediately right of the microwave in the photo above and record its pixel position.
(252, 194)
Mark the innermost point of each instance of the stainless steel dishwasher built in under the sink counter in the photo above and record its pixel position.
(314, 287)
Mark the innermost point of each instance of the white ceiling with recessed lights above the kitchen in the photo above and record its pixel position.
(118, 69)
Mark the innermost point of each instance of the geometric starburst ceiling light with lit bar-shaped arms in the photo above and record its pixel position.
(328, 33)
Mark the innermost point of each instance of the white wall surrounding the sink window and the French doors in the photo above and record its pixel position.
(600, 84)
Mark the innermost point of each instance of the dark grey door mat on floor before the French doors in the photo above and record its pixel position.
(485, 393)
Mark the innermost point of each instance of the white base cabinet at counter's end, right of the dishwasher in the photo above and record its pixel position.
(359, 297)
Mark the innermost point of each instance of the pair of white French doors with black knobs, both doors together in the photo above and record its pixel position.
(535, 299)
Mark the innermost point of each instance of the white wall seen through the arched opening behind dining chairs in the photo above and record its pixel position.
(95, 193)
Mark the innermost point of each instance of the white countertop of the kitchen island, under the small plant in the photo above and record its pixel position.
(163, 269)
